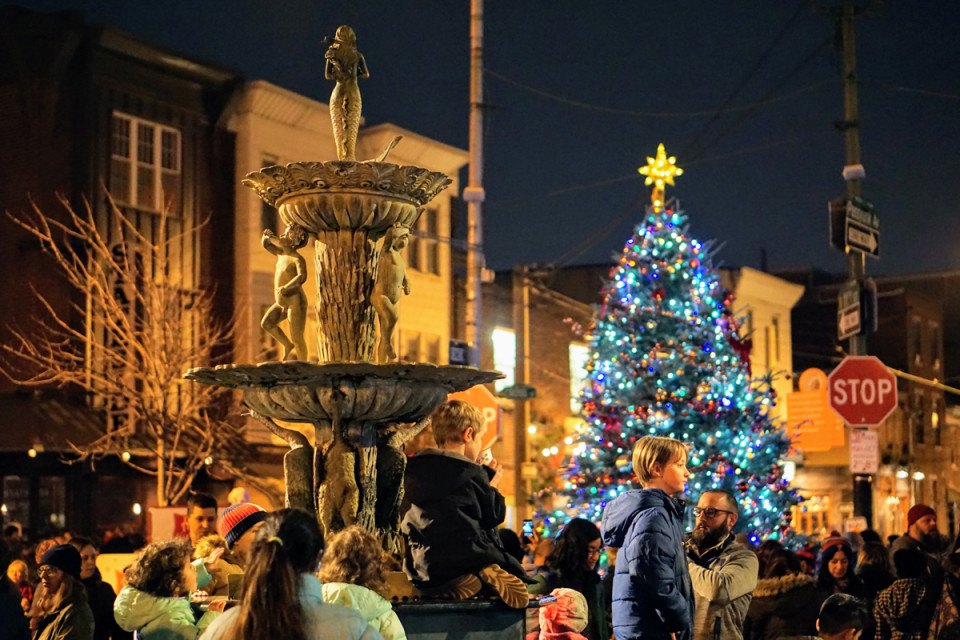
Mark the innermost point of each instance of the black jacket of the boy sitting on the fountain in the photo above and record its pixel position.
(452, 519)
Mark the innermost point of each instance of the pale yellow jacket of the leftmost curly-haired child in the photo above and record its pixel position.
(155, 618)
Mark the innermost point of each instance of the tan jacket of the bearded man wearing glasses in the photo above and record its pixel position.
(723, 578)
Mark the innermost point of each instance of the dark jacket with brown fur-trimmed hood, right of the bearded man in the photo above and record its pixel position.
(783, 607)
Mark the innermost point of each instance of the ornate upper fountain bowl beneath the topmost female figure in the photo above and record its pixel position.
(339, 195)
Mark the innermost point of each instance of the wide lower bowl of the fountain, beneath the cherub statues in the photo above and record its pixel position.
(343, 391)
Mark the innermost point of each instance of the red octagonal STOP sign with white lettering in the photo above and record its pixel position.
(862, 390)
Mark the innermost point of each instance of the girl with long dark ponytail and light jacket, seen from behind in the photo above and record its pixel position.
(282, 598)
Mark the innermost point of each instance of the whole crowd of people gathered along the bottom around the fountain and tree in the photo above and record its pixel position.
(247, 573)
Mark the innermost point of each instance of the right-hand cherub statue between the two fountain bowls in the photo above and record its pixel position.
(391, 280)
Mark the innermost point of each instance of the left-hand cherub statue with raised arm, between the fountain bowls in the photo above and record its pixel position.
(289, 299)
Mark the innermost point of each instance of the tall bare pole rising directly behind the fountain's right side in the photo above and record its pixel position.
(474, 193)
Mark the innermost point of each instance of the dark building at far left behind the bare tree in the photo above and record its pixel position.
(96, 110)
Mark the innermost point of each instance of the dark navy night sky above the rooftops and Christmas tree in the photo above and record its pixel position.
(579, 93)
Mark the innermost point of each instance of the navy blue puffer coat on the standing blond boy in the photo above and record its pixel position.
(652, 593)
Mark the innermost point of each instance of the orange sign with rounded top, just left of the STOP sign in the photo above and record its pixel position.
(811, 423)
